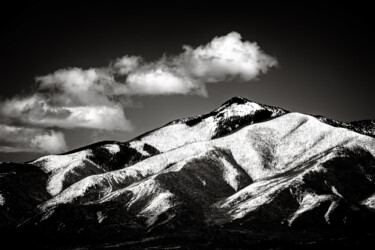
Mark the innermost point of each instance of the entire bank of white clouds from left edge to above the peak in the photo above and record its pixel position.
(95, 98)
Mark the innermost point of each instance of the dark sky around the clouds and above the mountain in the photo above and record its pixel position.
(326, 55)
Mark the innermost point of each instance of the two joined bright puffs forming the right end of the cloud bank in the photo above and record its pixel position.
(224, 58)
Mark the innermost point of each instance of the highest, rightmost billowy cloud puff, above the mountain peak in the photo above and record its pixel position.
(224, 58)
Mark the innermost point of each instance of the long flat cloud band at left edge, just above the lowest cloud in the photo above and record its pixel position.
(36, 111)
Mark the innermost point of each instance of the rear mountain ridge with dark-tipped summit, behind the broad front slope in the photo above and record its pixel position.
(71, 167)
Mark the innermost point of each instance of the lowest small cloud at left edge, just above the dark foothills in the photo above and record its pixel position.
(21, 139)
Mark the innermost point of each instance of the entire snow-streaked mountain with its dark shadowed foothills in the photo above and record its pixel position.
(244, 166)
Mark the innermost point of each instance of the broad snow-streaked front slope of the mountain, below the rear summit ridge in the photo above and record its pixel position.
(279, 171)
